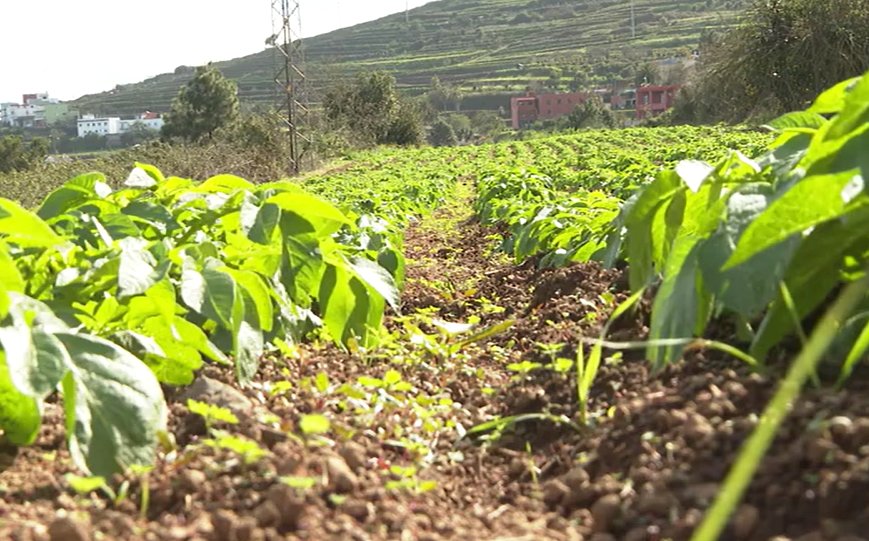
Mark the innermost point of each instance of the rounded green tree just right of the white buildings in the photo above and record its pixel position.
(207, 103)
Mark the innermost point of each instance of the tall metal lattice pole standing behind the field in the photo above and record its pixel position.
(290, 80)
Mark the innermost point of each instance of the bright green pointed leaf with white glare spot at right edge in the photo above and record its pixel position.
(789, 215)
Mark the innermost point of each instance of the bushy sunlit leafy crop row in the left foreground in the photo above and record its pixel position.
(106, 294)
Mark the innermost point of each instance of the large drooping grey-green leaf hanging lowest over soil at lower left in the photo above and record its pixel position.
(115, 404)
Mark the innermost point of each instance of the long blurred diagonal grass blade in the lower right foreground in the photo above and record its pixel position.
(755, 448)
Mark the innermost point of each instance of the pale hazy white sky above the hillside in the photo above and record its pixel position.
(74, 47)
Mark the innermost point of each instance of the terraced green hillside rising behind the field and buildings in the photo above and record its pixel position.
(488, 47)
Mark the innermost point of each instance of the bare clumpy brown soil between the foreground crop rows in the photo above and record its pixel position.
(646, 467)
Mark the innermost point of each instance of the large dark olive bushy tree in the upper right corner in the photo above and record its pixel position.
(785, 54)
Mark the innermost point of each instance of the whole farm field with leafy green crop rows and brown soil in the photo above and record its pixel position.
(565, 338)
